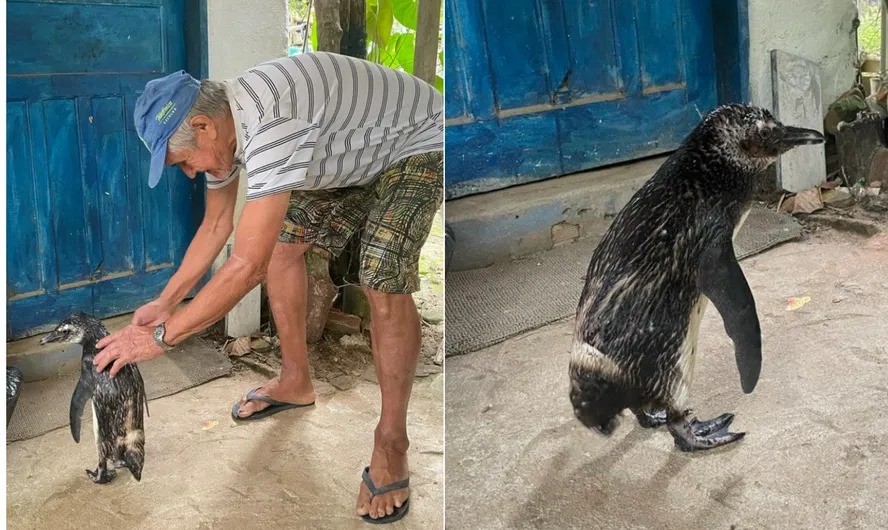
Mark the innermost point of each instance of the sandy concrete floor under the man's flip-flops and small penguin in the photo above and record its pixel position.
(298, 469)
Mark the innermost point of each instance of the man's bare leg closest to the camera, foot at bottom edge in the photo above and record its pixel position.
(396, 336)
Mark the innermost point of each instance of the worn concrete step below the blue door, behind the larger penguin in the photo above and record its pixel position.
(522, 220)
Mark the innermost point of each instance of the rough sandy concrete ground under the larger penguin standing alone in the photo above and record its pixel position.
(815, 454)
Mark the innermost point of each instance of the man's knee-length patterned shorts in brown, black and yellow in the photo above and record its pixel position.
(395, 211)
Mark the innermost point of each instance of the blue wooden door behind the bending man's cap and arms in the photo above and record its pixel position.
(84, 231)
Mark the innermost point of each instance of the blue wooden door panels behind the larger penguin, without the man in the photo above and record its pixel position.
(540, 88)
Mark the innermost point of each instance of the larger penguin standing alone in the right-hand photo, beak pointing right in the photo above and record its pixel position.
(667, 254)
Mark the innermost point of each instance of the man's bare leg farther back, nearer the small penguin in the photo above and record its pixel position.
(287, 283)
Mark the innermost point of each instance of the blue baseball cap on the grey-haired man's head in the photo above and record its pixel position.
(160, 110)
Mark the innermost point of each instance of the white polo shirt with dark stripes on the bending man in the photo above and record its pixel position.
(323, 120)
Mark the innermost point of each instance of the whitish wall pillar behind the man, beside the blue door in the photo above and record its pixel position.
(241, 34)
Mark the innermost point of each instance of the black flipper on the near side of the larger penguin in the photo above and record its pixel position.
(721, 280)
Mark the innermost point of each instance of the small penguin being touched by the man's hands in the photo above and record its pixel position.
(117, 404)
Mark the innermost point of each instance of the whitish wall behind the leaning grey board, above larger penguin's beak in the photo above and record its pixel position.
(817, 30)
